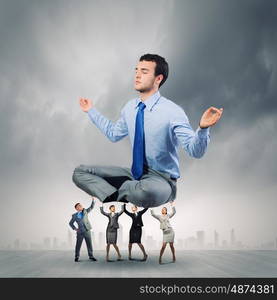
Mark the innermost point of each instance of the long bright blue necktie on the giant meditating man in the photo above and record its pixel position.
(139, 146)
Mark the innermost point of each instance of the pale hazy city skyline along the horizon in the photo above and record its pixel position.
(196, 242)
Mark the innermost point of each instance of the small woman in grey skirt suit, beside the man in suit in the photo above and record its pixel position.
(111, 231)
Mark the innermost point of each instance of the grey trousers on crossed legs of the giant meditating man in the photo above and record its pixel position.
(153, 189)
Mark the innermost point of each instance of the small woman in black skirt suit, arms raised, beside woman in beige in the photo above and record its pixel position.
(135, 230)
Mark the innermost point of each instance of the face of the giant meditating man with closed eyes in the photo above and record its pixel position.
(145, 79)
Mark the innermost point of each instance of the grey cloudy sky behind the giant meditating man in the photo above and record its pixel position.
(220, 53)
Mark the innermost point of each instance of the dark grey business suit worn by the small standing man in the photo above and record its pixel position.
(83, 230)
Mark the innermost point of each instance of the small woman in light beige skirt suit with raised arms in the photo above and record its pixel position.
(168, 232)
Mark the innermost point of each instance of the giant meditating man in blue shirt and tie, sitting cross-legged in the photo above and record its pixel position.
(156, 127)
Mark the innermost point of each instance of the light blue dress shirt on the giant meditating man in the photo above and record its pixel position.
(166, 127)
